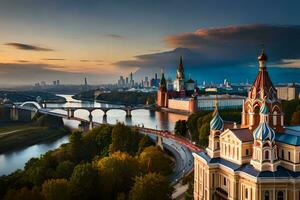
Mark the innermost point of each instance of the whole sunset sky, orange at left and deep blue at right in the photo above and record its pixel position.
(45, 40)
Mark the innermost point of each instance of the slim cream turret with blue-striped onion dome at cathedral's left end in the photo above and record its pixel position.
(216, 128)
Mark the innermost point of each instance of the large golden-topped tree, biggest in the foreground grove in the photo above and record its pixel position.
(116, 174)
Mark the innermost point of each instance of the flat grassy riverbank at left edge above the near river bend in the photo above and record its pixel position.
(18, 136)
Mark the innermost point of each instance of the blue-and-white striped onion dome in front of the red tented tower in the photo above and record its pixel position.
(264, 132)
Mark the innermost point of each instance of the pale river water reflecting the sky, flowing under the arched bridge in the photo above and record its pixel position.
(16, 159)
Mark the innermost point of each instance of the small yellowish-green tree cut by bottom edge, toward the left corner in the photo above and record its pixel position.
(56, 189)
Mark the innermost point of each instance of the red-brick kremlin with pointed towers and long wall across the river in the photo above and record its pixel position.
(184, 95)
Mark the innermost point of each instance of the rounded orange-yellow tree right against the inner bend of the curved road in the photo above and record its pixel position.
(153, 159)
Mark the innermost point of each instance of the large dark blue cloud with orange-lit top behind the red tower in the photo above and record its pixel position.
(232, 48)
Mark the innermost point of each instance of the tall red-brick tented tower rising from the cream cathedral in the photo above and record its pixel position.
(262, 91)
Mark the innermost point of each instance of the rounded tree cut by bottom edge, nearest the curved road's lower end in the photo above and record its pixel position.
(152, 186)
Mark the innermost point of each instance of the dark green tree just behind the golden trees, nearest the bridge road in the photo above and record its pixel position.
(124, 139)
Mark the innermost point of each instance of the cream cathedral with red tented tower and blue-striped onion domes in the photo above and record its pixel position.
(256, 160)
